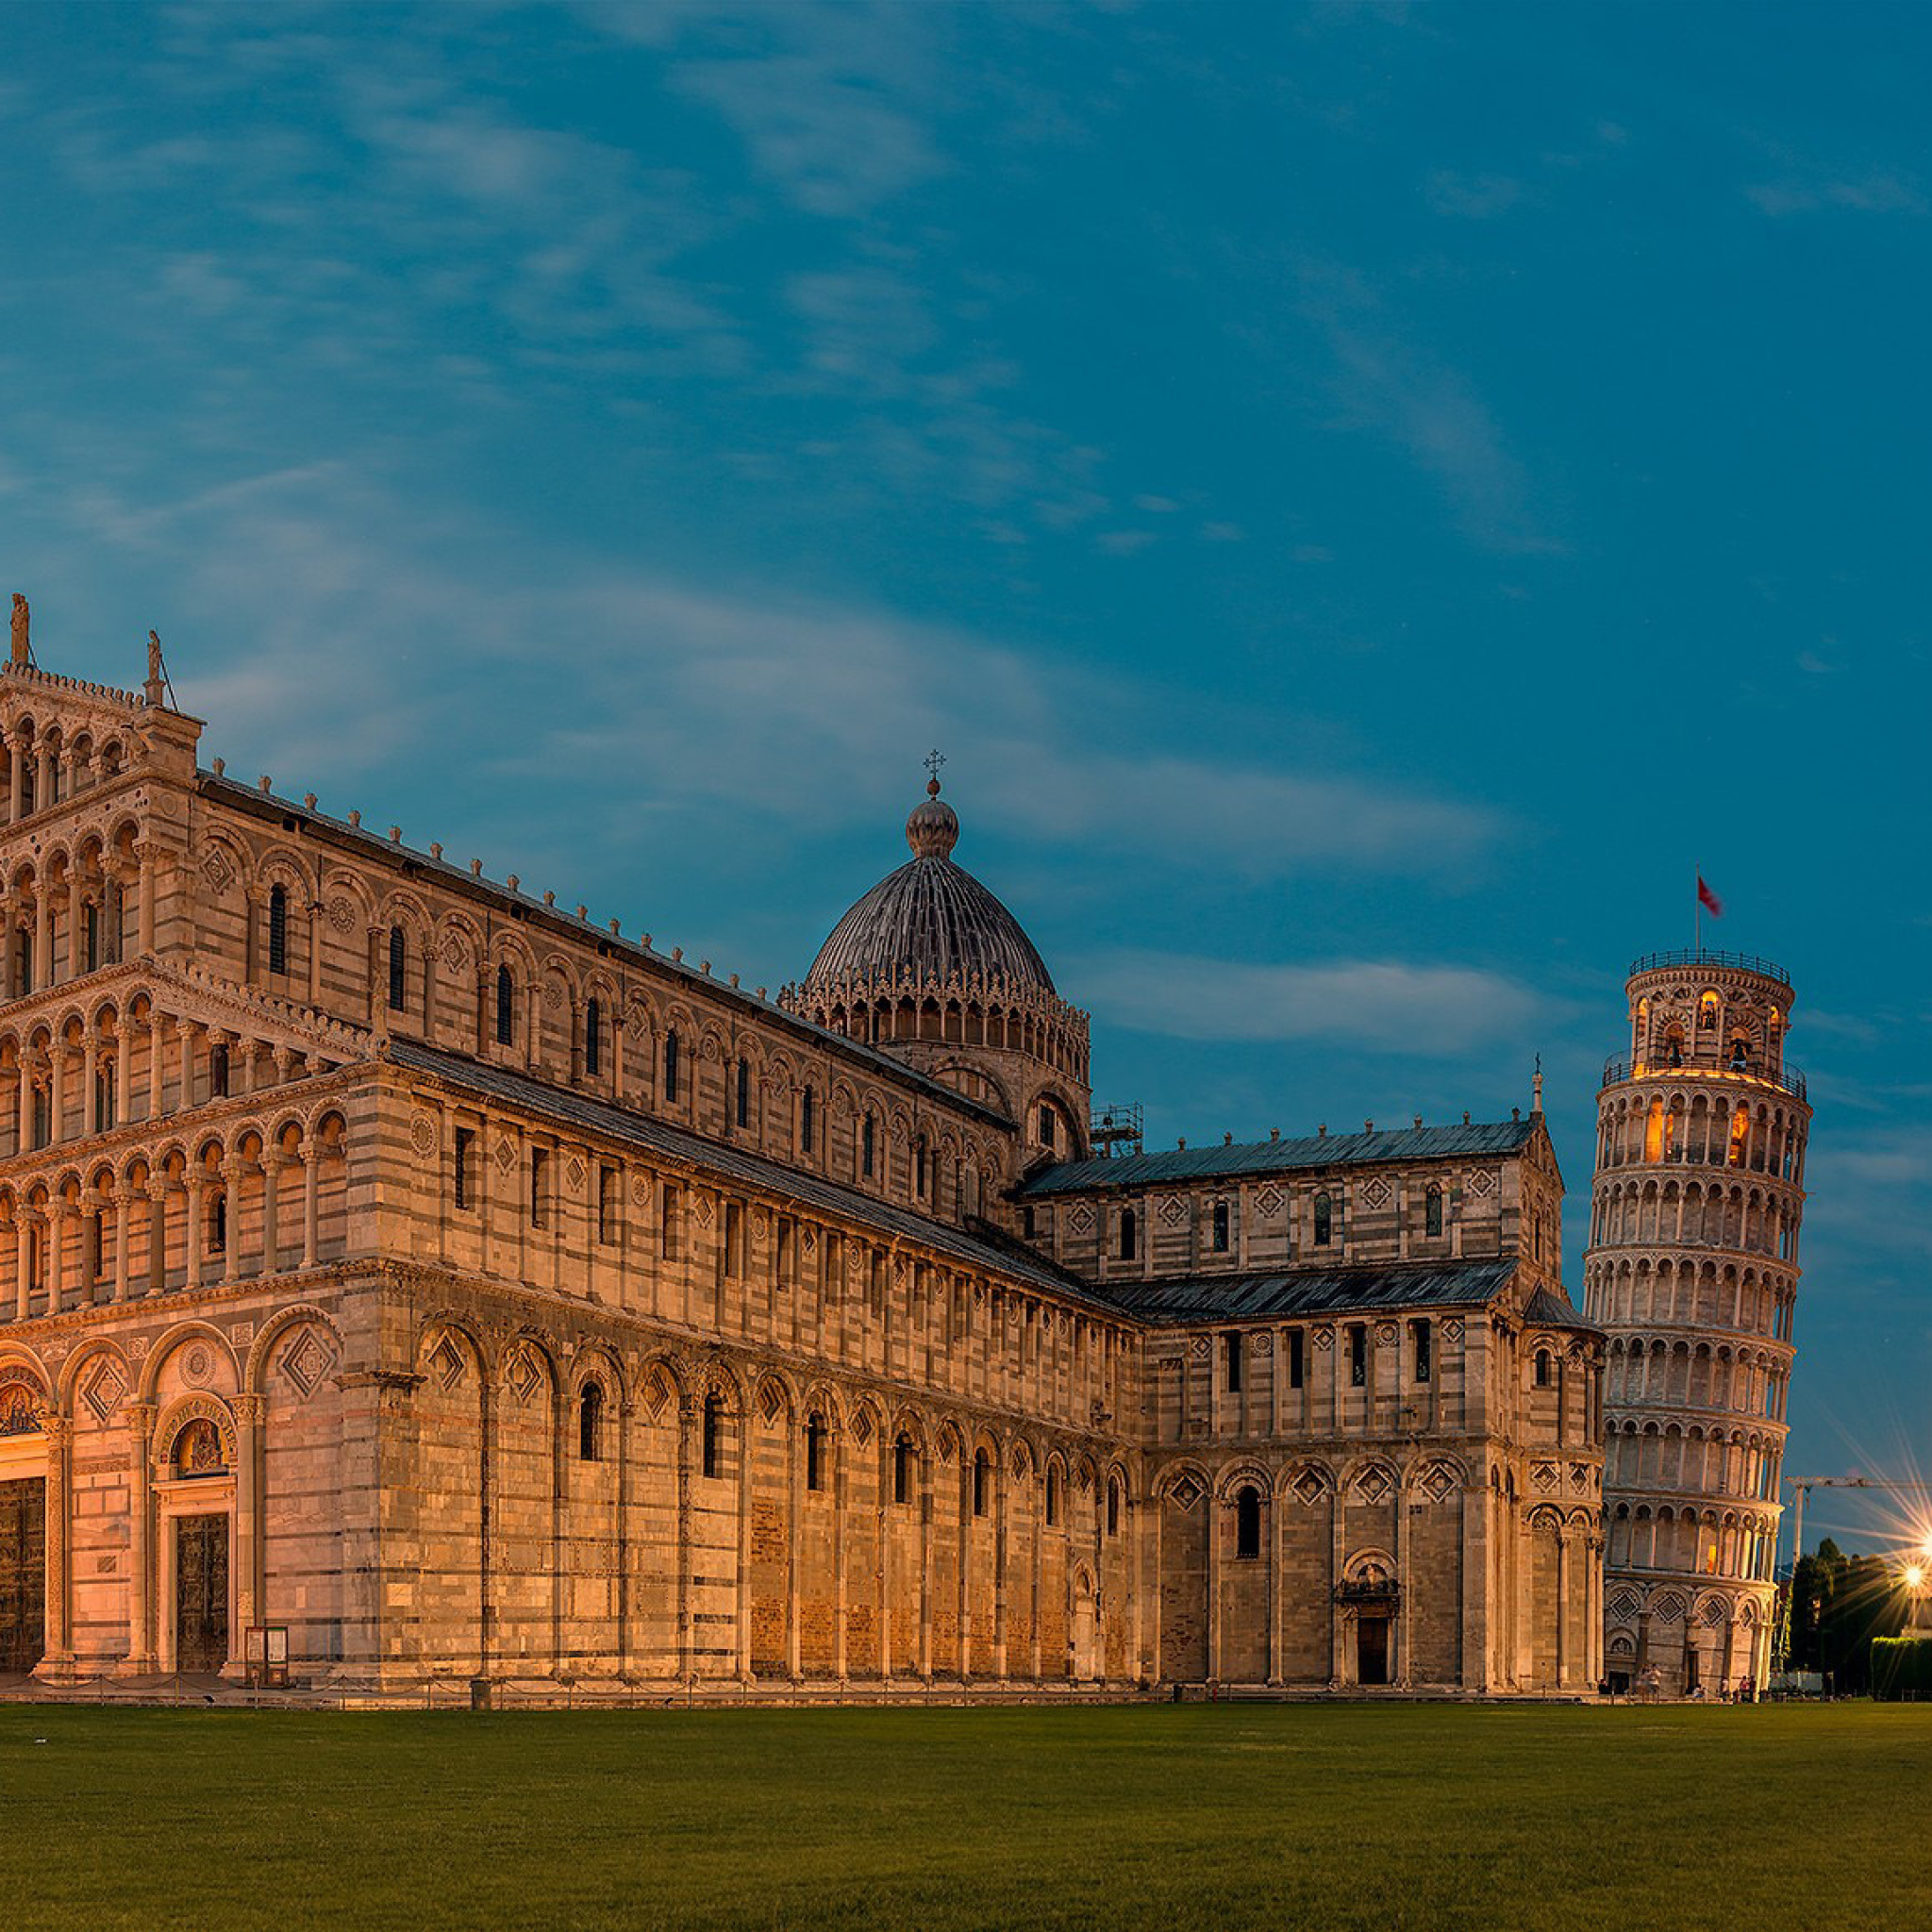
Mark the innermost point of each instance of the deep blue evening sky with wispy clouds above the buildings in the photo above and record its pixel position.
(1367, 499)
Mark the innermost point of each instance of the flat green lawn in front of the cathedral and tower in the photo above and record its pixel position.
(1172, 1817)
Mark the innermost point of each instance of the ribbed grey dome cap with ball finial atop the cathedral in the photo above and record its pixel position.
(930, 921)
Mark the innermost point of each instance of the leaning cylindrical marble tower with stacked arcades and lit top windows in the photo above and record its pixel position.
(1693, 1272)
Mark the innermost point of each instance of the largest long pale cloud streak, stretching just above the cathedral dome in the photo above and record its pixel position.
(619, 685)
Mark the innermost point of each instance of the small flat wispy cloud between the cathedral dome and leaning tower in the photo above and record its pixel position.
(1378, 1006)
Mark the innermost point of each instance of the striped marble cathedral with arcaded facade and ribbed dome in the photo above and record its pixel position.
(414, 1278)
